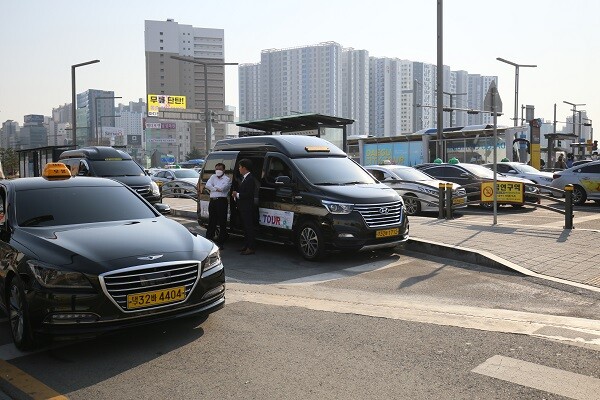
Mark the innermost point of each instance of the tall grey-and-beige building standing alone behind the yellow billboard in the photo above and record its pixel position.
(167, 76)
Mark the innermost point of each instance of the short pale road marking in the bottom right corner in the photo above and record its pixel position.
(551, 380)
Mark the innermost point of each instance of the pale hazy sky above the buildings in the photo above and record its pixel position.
(41, 39)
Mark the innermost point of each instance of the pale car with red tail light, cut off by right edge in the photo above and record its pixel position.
(585, 179)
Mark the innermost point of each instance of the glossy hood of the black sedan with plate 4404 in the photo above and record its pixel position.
(101, 247)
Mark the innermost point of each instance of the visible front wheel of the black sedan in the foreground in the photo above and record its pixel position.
(18, 315)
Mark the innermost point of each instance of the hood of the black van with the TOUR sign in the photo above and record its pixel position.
(361, 193)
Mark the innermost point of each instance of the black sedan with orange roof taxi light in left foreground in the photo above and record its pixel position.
(84, 255)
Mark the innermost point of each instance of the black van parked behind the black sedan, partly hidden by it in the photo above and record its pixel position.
(108, 162)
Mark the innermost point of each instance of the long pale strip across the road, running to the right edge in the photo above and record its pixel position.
(578, 331)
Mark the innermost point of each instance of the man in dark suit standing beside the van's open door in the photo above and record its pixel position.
(244, 197)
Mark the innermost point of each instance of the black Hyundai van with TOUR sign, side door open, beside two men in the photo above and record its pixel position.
(310, 194)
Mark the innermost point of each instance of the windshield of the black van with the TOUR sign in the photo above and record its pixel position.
(332, 171)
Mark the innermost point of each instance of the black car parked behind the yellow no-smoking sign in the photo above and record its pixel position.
(465, 174)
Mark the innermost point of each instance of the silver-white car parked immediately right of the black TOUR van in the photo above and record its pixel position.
(418, 190)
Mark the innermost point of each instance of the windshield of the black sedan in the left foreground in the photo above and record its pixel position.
(78, 205)
